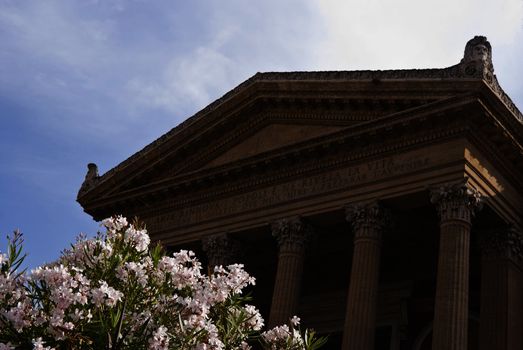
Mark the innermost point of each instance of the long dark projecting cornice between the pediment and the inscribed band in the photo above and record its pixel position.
(439, 120)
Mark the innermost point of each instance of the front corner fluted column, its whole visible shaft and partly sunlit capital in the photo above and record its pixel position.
(456, 204)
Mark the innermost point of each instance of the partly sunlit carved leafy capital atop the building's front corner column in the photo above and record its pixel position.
(456, 201)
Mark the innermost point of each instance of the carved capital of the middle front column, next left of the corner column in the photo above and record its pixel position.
(368, 215)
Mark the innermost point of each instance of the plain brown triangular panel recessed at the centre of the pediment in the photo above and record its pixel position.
(269, 138)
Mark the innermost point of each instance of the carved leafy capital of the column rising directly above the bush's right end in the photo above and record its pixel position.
(292, 233)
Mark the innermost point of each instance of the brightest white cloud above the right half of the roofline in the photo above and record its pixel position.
(407, 34)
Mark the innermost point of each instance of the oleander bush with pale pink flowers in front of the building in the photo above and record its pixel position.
(113, 291)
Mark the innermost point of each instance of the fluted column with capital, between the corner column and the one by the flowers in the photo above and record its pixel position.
(368, 222)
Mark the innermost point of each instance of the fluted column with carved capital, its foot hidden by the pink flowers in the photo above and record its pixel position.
(292, 235)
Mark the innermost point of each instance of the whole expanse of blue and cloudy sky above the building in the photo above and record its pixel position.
(95, 81)
